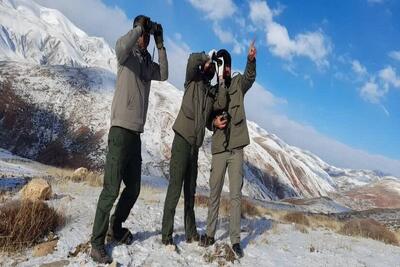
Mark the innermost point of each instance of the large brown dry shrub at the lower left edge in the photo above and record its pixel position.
(25, 223)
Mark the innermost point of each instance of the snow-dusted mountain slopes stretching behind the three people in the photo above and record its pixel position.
(60, 114)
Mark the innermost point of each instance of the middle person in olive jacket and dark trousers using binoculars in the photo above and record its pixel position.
(198, 102)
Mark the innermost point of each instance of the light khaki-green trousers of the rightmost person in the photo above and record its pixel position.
(233, 161)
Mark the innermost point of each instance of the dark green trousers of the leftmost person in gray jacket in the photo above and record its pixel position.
(123, 163)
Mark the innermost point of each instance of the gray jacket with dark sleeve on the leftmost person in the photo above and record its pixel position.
(136, 70)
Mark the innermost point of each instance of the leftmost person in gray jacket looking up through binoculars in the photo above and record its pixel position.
(136, 70)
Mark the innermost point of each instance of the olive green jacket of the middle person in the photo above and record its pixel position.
(199, 100)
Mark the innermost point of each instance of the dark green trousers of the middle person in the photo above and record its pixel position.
(183, 172)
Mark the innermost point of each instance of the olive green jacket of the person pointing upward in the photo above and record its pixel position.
(236, 134)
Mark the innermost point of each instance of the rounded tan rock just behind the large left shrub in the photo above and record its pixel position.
(37, 189)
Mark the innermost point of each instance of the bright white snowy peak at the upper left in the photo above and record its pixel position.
(44, 36)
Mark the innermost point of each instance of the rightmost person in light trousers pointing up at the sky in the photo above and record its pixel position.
(227, 150)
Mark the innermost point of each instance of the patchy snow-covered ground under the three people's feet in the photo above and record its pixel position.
(265, 242)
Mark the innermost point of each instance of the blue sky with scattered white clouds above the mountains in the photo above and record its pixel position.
(328, 72)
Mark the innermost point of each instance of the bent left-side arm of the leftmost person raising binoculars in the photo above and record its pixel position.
(126, 43)
